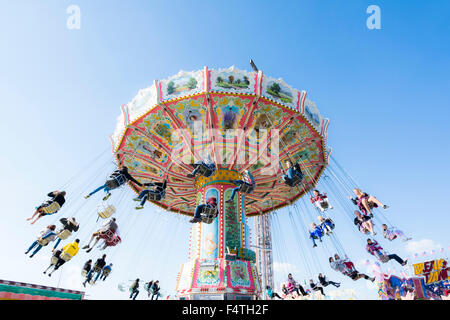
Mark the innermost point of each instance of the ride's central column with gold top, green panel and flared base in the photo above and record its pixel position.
(220, 265)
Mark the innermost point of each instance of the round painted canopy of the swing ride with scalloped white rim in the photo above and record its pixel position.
(229, 115)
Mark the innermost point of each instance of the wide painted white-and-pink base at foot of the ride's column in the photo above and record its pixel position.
(218, 279)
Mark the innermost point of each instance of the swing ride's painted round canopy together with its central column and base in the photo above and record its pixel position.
(239, 121)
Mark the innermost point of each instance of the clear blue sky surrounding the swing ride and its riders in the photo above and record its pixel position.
(385, 91)
